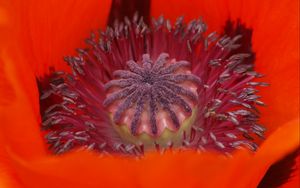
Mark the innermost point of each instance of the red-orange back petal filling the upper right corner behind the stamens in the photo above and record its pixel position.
(275, 42)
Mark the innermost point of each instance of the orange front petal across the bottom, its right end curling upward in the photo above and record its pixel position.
(184, 169)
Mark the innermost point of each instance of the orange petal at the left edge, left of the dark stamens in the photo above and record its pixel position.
(19, 114)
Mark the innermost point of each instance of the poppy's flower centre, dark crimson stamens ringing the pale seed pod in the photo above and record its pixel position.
(137, 87)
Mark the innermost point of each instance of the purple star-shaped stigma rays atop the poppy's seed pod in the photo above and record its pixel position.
(152, 87)
